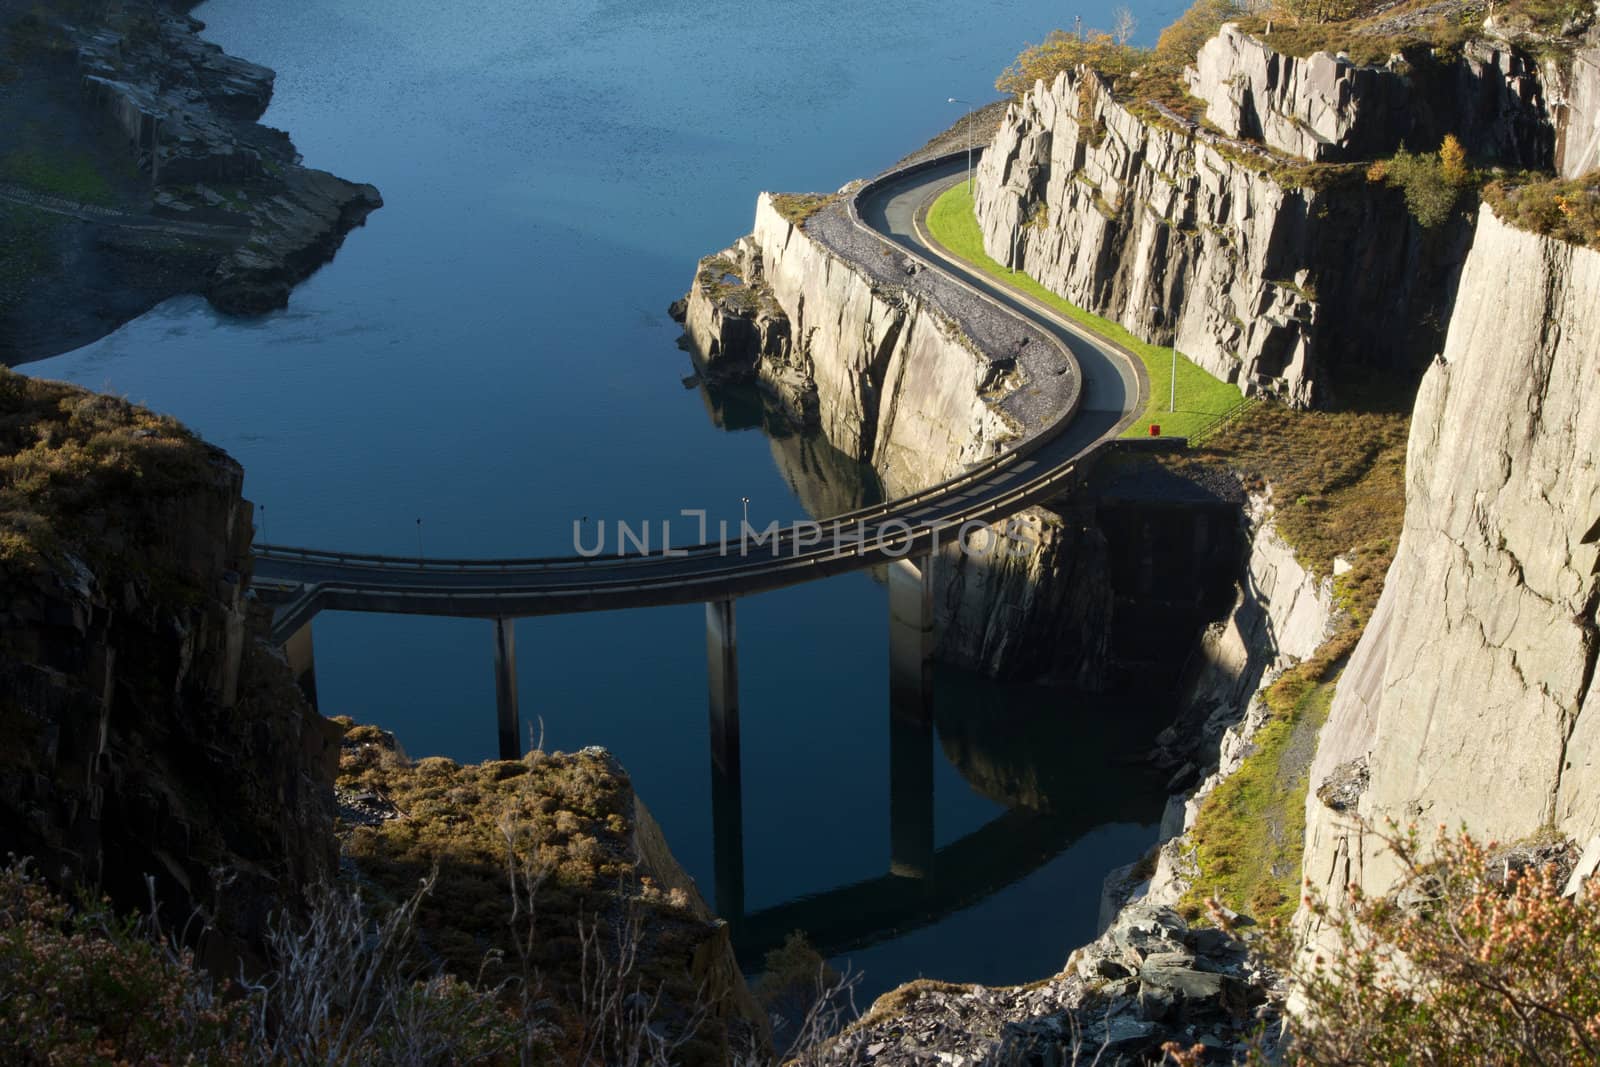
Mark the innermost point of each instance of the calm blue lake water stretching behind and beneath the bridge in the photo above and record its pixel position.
(490, 354)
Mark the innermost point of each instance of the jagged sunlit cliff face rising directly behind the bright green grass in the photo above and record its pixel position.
(1183, 238)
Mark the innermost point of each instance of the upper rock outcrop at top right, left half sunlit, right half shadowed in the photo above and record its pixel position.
(1326, 108)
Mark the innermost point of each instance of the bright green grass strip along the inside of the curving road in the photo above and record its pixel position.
(1201, 398)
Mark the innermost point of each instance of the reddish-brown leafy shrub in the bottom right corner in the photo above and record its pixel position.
(1470, 959)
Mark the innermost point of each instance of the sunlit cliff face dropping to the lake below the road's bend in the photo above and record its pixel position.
(881, 372)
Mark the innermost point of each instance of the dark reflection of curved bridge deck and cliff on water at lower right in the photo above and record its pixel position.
(1062, 764)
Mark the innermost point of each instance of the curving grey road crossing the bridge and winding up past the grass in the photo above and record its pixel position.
(305, 581)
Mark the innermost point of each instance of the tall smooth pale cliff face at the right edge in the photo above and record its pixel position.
(1470, 698)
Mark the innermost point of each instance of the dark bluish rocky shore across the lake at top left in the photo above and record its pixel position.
(214, 204)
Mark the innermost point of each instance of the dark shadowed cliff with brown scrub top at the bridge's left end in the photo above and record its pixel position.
(148, 730)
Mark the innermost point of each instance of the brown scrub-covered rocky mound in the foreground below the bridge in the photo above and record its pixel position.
(564, 826)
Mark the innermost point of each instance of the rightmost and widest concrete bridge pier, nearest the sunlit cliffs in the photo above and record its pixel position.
(911, 717)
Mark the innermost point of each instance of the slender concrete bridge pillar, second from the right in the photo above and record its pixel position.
(727, 791)
